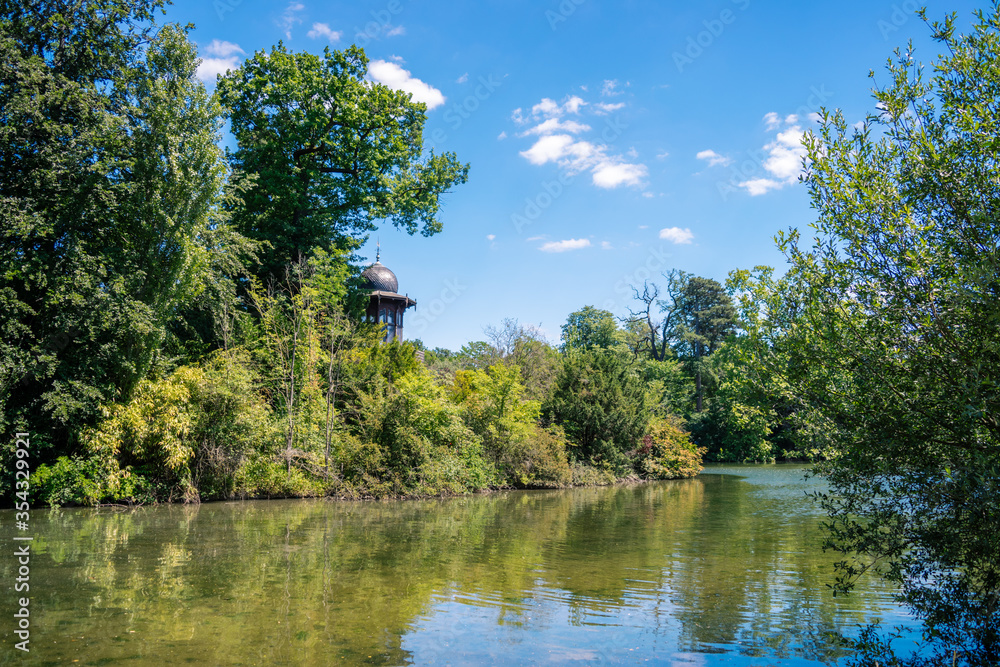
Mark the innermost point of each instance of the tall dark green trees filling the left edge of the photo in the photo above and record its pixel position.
(110, 176)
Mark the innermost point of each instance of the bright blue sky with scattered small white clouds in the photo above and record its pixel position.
(608, 141)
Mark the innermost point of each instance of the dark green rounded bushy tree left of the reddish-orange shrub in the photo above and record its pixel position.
(600, 400)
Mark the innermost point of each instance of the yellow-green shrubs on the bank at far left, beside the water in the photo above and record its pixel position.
(185, 436)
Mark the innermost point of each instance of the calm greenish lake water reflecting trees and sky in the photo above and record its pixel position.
(720, 569)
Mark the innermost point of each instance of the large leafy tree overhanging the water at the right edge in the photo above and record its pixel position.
(895, 337)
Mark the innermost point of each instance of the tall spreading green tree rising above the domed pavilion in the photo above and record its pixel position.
(331, 153)
